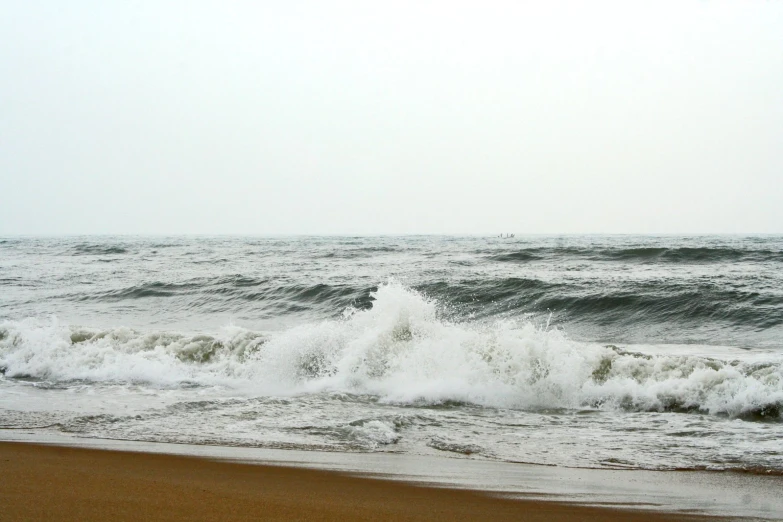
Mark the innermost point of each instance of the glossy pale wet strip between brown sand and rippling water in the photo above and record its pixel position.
(705, 495)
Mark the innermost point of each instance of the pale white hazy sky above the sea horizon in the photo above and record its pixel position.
(405, 117)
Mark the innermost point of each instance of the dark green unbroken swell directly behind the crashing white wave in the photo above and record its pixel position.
(629, 304)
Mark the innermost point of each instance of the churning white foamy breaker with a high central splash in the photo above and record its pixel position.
(400, 351)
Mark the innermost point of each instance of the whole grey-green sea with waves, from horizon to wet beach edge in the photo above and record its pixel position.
(614, 352)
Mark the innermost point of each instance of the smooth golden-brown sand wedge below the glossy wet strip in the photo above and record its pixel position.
(63, 483)
